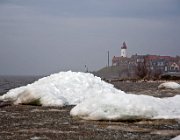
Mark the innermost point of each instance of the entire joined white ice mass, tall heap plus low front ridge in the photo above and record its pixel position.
(95, 99)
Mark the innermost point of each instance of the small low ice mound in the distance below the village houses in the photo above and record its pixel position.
(169, 85)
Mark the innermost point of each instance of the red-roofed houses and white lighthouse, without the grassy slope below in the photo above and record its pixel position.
(152, 63)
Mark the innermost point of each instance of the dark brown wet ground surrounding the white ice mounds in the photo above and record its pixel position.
(46, 123)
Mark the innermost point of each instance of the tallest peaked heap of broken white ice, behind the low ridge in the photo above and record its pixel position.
(64, 88)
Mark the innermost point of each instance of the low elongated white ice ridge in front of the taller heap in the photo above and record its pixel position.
(127, 107)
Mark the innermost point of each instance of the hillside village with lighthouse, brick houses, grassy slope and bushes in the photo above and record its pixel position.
(141, 66)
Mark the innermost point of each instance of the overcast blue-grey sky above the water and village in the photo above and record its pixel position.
(47, 36)
